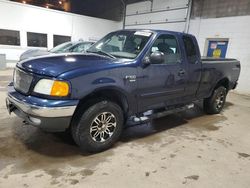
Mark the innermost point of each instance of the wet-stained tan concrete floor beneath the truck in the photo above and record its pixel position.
(188, 149)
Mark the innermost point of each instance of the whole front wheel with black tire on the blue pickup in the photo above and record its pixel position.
(99, 127)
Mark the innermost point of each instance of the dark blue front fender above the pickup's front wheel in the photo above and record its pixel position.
(111, 80)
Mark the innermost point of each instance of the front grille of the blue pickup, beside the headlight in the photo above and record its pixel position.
(22, 81)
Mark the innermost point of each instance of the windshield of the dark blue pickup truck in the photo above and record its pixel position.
(122, 44)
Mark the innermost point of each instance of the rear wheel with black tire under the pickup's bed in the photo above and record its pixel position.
(215, 103)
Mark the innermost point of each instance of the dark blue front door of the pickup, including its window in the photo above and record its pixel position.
(161, 85)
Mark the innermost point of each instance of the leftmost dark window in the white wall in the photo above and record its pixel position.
(9, 37)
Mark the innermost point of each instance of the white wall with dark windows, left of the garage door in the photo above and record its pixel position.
(28, 18)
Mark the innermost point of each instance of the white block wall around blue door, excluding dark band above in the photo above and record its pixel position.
(237, 29)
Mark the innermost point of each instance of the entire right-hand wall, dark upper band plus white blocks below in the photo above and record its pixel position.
(225, 19)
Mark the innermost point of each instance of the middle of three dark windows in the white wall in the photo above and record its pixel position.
(37, 39)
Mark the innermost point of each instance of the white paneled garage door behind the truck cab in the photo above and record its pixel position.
(158, 14)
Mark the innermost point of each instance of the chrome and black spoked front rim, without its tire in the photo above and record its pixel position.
(103, 127)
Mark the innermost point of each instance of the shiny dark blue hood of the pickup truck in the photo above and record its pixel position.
(54, 65)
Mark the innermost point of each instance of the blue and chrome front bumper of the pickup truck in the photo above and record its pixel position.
(50, 115)
